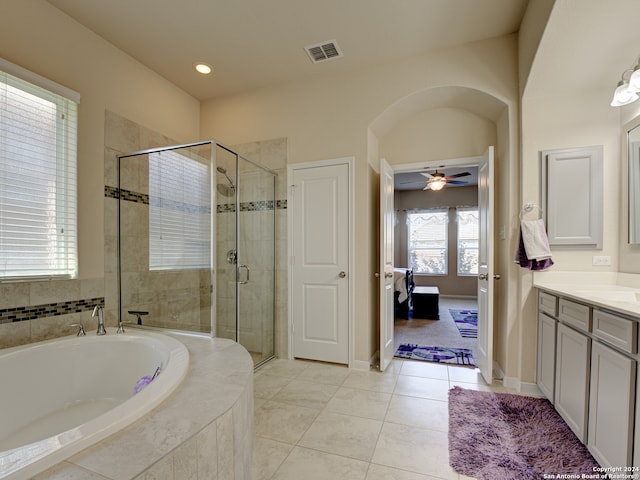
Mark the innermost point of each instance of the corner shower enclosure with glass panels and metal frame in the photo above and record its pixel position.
(196, 243)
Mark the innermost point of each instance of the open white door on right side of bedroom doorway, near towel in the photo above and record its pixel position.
(484, 349)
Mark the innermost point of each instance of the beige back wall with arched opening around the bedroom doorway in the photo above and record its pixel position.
(330, 117)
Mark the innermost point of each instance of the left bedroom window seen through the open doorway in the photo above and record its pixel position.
(428, 242)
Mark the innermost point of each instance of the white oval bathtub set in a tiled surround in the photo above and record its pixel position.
(61, 396)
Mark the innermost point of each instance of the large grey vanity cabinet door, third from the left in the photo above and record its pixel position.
(611, 406)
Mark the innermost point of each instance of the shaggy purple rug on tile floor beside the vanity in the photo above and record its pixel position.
(500, 436)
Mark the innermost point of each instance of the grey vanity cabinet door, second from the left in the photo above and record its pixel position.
(572, 378)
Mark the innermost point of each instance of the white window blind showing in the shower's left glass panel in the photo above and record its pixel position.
(179, 211)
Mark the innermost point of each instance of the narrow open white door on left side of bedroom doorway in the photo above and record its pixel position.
(386, 264)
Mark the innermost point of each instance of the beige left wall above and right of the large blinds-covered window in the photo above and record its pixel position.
(40, 38)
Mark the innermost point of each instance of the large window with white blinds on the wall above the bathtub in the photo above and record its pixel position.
(61, 260)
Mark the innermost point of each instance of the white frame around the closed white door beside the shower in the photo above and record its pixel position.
(291, 168)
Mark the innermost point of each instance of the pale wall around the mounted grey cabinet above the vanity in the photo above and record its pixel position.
(560, 120)
